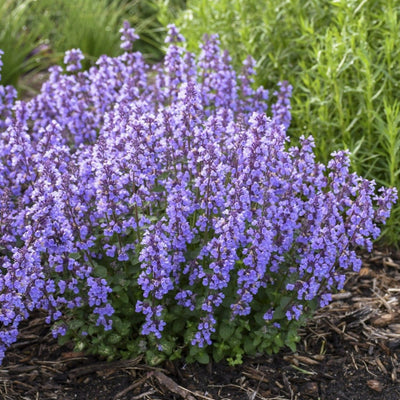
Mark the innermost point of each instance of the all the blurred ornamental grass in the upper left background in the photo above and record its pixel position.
(36, 34)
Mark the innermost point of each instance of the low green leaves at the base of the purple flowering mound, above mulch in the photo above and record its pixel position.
(232, 339)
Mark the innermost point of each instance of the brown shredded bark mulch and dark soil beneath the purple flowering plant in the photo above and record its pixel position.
(349, 350)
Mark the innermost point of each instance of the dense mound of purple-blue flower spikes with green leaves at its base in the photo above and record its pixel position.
(158, 210)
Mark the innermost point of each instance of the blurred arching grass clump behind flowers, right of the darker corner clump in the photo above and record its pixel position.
(93, 26)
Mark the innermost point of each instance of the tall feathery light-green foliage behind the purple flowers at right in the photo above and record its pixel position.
(340, 56)
